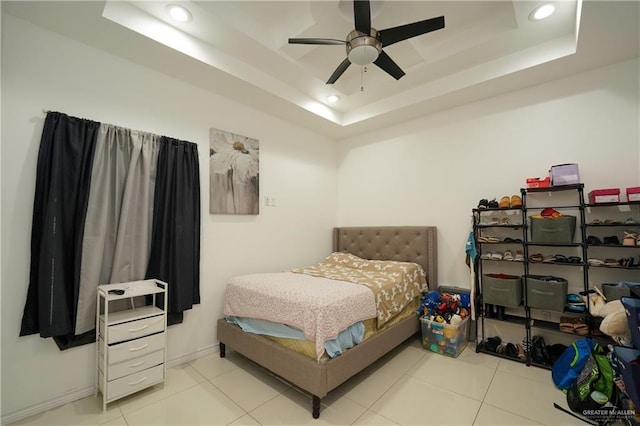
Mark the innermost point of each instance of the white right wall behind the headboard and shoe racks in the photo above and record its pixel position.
(434, 170)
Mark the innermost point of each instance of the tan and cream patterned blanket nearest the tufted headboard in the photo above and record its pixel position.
(395, 284)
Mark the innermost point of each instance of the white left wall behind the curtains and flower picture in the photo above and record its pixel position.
(44, 71)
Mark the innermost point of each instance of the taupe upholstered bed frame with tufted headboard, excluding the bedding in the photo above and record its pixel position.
(406, 244)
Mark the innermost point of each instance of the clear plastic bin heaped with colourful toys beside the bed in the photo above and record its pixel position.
(443, 319)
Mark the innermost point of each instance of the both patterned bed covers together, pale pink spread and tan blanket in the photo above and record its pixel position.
(324, 299)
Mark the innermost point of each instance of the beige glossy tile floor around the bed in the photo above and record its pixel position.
(409, 386)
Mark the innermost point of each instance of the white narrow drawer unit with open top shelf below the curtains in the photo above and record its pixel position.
(131, 343)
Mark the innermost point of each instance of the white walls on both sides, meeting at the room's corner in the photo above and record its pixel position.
(430, 171)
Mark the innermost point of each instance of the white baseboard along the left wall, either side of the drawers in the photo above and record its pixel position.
(76, 394)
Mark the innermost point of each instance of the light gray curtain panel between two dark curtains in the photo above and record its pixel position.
(117, 237)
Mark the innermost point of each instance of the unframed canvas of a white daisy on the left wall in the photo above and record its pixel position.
(234, 174)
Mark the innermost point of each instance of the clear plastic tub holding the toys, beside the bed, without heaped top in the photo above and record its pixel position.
(444, 338)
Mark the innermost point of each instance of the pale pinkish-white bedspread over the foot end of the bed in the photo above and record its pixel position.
(320, 307)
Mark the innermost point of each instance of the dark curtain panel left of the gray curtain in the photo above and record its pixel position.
(63, 175)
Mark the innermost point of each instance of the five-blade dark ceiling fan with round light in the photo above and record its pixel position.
(364, 44)
